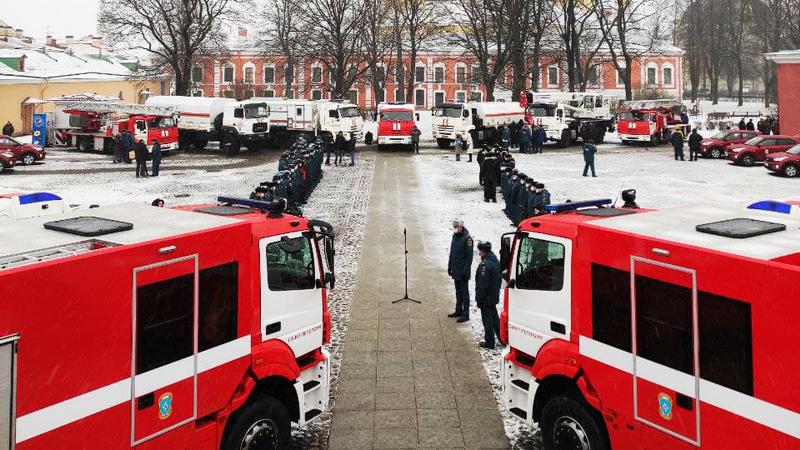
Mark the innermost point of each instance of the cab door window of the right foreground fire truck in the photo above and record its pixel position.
(540, 265)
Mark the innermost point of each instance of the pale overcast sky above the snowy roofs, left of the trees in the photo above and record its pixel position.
(58, 17)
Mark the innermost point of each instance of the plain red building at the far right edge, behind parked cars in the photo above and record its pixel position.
(788, 90)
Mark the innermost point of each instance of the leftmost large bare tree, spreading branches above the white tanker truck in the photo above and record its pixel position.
(174, 32)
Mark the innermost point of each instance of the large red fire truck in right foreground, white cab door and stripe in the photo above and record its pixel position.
(637, 329)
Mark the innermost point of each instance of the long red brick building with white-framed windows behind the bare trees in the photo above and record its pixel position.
(443, 75)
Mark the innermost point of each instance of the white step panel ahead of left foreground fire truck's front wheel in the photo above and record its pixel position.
(313, 388)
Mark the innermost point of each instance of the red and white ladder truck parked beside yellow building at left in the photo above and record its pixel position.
(93, 125)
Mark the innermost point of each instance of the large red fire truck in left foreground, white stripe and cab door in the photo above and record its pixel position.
(199, 328)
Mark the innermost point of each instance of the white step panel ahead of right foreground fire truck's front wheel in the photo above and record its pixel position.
(519, 388)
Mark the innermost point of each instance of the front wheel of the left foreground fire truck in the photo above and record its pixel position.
(262, 424)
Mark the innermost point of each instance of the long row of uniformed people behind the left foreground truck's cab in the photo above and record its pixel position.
(299, 172)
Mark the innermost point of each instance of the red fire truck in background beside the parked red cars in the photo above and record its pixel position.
(646, 120)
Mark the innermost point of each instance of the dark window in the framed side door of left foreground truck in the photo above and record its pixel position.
(164, 322)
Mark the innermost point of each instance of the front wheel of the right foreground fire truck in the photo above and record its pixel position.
(569, 424)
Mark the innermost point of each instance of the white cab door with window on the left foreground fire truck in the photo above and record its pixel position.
(291, 292)
